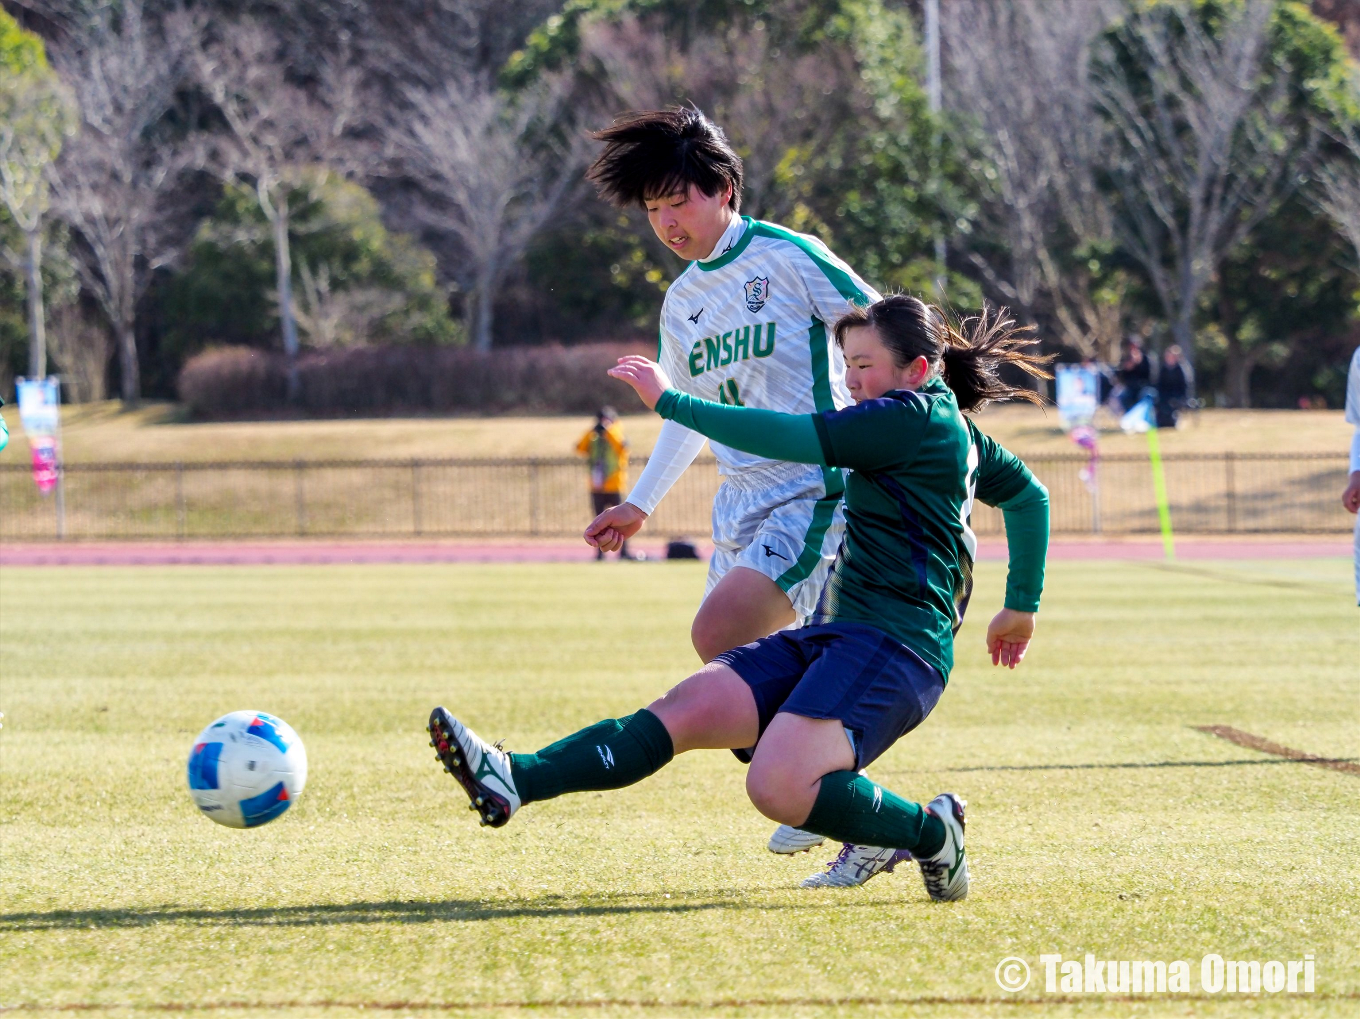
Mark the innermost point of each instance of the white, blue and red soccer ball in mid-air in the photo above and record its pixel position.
(247, 769)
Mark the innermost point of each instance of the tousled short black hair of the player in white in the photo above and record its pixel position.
(652, 154)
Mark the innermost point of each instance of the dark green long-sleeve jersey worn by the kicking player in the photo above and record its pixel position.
(906, 561)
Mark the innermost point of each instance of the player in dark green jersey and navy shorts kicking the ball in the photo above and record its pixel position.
(811, 708)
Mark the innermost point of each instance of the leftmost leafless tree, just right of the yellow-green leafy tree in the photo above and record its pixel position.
(114, 180)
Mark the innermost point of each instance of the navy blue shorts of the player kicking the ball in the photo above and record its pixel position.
(877, 688)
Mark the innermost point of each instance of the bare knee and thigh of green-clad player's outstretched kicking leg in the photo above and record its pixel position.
(715, 709)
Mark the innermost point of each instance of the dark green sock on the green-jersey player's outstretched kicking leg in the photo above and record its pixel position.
(606, 756)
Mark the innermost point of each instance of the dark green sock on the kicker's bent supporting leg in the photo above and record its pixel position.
(851, 809)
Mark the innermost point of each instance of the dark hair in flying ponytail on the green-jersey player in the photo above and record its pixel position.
(968, 354)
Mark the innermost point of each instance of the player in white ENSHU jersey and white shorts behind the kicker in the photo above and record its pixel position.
(749, 322)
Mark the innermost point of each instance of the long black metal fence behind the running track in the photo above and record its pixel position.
(1211, 493)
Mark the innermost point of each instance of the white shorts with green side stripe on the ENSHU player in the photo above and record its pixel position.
(780, 522)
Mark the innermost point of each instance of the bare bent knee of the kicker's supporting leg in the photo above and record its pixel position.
(789, 763)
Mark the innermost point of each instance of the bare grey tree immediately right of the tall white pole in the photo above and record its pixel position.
(1018, 88)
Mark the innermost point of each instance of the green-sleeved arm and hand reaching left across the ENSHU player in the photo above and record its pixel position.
(764, 433)
